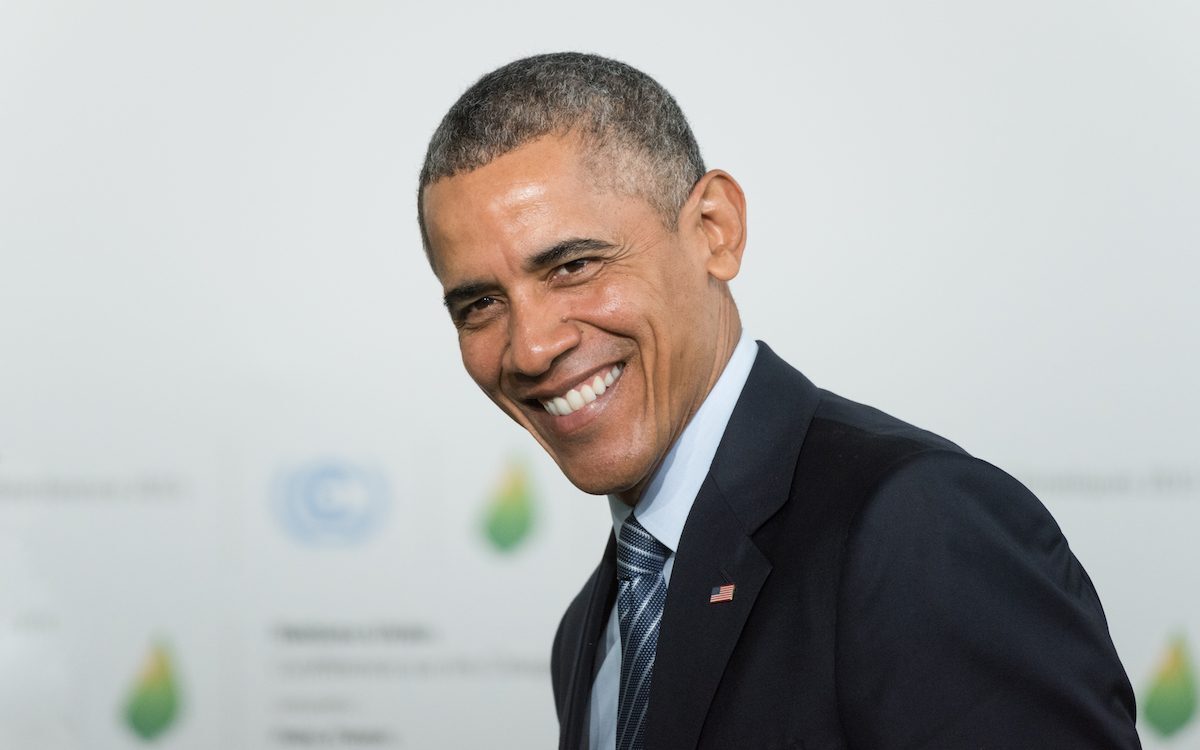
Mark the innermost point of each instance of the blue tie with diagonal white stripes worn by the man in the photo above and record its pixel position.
(640, 596)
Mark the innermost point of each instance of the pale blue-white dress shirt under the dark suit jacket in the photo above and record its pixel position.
(663, 511)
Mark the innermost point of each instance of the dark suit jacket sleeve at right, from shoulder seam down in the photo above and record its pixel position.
(965, 621)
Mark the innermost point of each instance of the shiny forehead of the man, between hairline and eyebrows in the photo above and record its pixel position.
(519, 203)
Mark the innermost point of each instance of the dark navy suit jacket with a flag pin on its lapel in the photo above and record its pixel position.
(891, 592)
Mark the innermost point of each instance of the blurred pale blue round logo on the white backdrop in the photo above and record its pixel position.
(332, 502)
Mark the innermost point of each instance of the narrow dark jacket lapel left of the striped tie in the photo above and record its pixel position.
(601, 601)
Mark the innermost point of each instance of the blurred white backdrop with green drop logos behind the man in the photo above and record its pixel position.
(250, 500)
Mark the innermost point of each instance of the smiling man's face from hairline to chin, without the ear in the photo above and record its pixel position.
(579, 313)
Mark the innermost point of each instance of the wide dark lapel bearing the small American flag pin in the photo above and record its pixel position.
(749, 482)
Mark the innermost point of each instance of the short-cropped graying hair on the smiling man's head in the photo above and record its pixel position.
(613, 106)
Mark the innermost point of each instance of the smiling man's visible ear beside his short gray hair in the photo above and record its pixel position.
(718, 212)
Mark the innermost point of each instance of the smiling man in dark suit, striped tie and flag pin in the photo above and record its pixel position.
(789, 569)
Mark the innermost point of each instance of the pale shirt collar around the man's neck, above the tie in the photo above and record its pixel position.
(668, 500)
